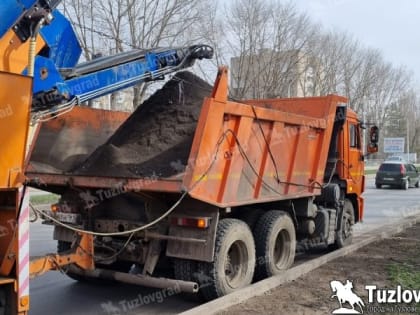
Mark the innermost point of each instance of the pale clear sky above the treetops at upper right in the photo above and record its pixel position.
(392, 26)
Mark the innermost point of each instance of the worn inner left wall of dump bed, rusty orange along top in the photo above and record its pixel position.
(63, 143)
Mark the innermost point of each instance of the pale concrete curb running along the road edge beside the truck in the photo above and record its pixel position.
(263, 286)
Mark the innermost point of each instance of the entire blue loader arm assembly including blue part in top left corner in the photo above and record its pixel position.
(60, 81)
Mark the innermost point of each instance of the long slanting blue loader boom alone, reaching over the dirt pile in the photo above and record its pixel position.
(106, 75)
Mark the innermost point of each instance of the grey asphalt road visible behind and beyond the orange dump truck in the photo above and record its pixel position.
(55, 293)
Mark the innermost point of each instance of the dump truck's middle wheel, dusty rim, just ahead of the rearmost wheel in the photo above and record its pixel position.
(275, 243)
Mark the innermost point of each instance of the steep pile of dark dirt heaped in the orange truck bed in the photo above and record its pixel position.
(156, 139)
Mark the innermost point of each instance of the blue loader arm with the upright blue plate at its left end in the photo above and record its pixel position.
(59, 80)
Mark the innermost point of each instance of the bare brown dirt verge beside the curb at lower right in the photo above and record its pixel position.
(385, 263)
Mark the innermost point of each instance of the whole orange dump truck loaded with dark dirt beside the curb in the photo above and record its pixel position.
(261, 178)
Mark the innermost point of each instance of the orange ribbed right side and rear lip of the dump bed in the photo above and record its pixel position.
(250, 152)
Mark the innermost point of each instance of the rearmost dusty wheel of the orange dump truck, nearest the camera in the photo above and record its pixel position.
(234, 260)
